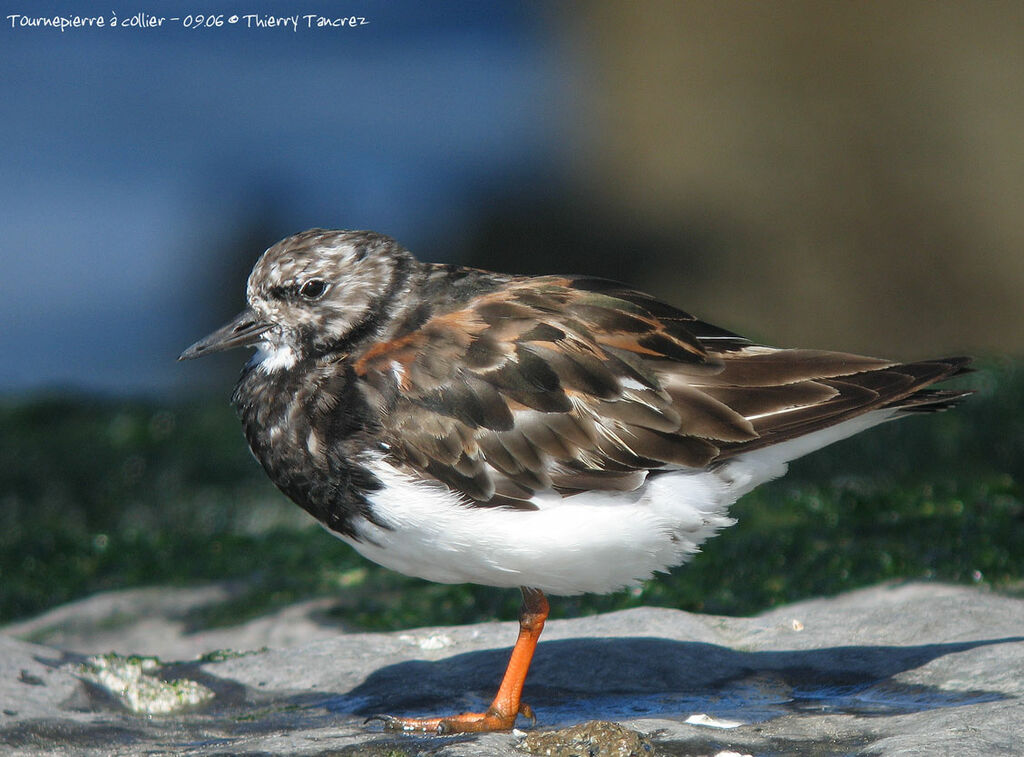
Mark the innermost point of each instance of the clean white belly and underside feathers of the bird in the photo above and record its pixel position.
(590, 542)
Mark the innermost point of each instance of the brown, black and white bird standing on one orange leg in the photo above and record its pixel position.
(562, 435)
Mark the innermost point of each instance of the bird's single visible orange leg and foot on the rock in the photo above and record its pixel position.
(508, 704)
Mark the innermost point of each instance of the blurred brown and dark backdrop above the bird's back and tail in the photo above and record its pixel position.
(845, 176)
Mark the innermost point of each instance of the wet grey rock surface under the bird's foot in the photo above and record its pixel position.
(911, 669)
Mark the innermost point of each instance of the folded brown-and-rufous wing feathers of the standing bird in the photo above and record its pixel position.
(577, 385)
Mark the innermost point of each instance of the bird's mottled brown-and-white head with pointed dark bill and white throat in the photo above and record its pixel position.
(311, 293)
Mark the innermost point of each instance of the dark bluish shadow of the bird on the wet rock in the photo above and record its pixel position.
(616, 680)
